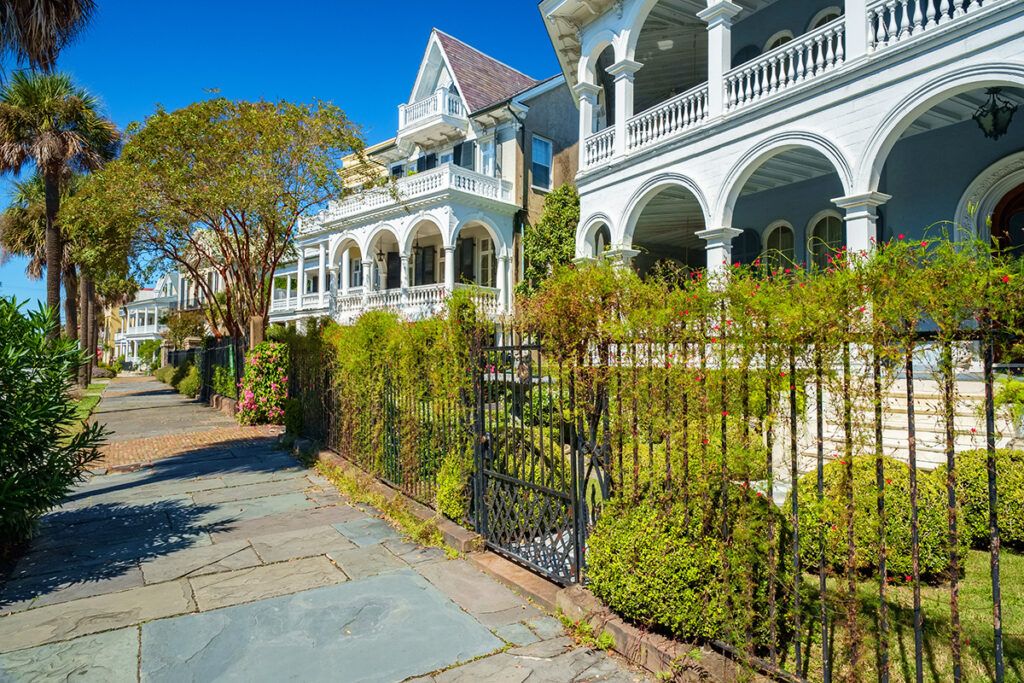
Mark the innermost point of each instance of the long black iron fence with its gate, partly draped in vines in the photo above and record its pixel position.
(558, 437)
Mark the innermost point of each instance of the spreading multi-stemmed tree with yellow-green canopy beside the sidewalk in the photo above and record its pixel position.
(222, 186)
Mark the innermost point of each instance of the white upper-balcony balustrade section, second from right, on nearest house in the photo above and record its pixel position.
(802, 60)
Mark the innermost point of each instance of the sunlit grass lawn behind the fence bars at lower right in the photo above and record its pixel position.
(976, 622)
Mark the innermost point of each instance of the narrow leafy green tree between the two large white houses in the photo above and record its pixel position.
(552, 242)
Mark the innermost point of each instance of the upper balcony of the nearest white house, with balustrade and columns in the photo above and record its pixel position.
(641, 91)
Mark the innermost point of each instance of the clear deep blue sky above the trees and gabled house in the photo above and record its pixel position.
(363, 57)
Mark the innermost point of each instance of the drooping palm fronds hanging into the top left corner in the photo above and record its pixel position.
(35, 31)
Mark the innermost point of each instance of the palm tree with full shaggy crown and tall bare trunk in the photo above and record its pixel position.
(48, 121)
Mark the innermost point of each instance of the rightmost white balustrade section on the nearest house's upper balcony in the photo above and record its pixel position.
(892, 22)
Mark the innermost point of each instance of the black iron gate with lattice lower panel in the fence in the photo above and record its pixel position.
(540, 474)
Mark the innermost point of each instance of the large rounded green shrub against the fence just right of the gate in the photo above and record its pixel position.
(656, 566)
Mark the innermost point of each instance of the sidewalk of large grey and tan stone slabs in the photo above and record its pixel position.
(230, 562)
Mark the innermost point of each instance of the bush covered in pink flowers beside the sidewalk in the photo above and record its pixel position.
(265, 387)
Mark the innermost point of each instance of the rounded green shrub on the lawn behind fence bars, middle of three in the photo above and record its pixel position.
(829, 518)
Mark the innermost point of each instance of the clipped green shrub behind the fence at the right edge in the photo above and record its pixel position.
(972, 494)
